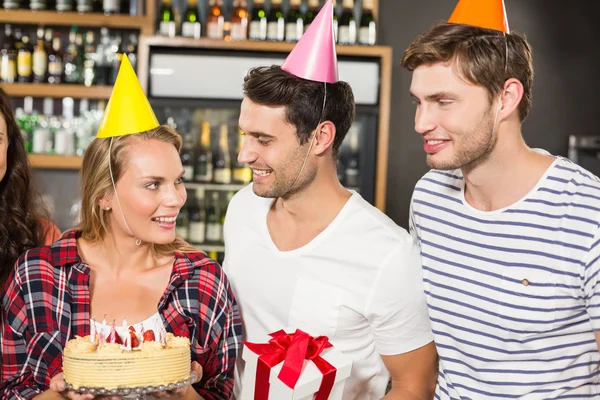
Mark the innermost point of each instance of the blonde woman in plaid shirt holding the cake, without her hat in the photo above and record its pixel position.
(123, 261)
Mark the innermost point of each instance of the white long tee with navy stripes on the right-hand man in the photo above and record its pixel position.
(513, 294)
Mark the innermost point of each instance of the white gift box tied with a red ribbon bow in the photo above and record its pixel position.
(294, 366)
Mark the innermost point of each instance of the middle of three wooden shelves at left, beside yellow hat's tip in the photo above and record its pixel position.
(56, 90)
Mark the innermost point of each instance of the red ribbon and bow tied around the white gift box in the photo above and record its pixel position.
(292, 349)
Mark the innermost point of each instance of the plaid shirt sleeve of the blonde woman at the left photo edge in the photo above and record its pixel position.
(30, 339)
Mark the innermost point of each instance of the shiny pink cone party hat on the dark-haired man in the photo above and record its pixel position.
(314, 57)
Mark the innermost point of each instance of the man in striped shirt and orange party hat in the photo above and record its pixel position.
(509, 235)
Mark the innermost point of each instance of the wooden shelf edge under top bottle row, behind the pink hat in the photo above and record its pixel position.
(255, 45)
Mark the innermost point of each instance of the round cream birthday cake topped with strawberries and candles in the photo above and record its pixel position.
(135, 361)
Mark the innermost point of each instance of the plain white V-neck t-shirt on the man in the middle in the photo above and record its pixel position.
(358, 282)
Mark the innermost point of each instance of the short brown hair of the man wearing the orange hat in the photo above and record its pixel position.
(483, 57)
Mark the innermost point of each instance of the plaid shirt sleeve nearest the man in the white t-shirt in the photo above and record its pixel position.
(219, 315)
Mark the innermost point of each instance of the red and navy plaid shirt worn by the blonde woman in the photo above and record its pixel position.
(47, 302)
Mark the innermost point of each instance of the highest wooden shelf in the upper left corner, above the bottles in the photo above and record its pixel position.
(74, 18)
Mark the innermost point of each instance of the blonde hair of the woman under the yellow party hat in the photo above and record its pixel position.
(96, 183)
